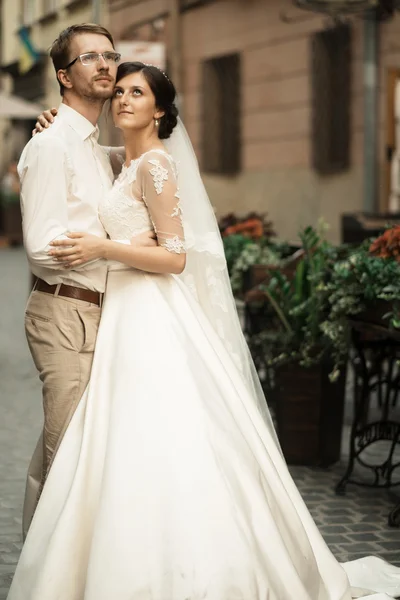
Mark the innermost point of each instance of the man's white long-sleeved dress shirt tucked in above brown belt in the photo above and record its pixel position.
(64, 174)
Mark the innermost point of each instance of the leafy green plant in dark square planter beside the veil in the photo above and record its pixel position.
(293, 302)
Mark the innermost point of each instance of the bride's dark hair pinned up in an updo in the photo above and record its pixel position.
(163, 90)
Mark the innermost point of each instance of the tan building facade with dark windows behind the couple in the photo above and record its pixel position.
(263, 76)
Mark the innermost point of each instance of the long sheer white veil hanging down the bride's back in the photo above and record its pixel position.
(206, 272)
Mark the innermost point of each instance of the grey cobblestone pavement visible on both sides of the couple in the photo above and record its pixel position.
(353, 525)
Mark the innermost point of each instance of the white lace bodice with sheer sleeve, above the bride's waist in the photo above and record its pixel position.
(145, 197)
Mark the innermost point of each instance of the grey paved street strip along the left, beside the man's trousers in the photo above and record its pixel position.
(20, 408)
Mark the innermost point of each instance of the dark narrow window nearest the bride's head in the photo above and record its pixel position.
(221, 135)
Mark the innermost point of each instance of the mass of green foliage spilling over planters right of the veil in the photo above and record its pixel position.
(305, 316)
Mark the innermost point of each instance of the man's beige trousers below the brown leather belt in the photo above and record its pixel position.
(61, 334)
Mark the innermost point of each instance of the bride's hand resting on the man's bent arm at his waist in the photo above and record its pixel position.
(78, 249)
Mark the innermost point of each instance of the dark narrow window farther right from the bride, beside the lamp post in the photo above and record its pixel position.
(331, 99)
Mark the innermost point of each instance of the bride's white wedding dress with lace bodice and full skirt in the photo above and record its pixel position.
(163, 487)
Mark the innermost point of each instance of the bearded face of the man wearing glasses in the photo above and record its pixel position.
(94, 81)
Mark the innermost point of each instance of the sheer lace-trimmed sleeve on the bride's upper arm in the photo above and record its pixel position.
(158, 182)
